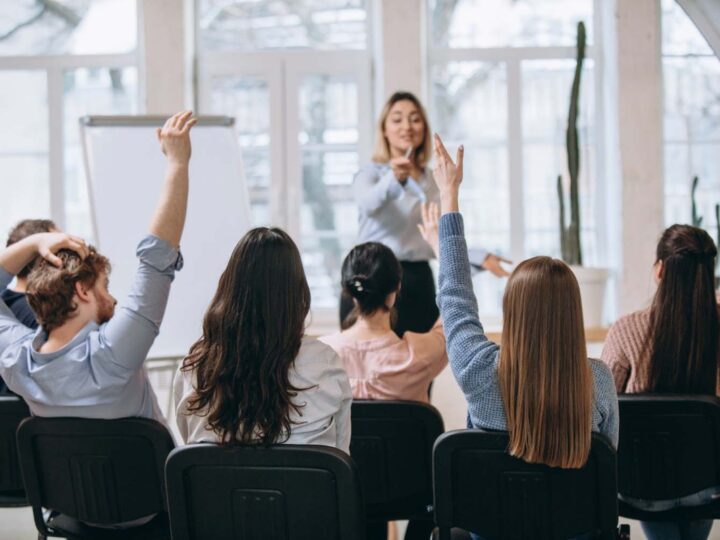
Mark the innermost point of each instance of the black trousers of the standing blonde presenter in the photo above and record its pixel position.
(416, 308)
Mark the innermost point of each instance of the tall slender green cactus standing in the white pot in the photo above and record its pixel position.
(570, 233)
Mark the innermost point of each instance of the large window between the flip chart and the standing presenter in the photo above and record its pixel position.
(296, 76)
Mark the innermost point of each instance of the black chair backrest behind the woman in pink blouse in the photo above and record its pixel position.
(392, 444)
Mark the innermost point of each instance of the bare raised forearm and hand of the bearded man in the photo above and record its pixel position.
(168, 220)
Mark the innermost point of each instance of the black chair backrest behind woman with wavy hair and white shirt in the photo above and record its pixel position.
(283, 492)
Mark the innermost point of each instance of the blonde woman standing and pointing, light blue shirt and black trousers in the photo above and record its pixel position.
(389, 193)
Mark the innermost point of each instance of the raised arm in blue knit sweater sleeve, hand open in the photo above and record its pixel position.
(472, 356)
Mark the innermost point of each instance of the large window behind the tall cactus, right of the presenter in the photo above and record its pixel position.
(500, 78)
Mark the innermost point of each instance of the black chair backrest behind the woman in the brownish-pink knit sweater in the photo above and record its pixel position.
(669, 445)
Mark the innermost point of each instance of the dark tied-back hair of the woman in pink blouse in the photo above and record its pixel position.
(370, 272)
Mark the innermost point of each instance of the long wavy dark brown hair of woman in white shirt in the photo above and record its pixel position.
(252, 333)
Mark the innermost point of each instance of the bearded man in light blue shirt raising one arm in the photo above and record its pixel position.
(86, 360)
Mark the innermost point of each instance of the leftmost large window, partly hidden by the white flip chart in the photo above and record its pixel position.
(59, 60)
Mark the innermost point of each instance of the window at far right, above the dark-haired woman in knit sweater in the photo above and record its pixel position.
(691, 76)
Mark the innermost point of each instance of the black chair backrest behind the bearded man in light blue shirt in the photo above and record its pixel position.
(100, 472)
